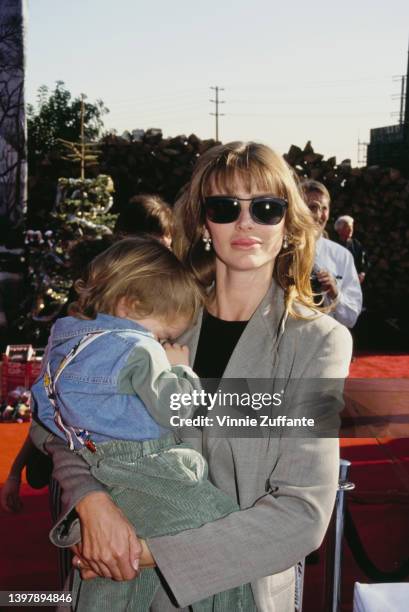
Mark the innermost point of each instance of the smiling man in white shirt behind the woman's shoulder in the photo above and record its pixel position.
(334, 267)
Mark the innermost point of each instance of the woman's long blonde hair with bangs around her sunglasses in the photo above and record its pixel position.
(259, 168)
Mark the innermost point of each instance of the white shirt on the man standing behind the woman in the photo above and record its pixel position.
(337, 260)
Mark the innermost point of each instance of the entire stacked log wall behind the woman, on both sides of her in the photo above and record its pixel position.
(377, 198)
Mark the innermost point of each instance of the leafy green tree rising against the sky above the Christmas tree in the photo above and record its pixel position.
(58, 116)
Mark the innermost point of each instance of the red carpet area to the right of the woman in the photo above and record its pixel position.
(379, 505)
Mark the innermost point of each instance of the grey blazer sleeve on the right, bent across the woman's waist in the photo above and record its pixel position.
(282, 527)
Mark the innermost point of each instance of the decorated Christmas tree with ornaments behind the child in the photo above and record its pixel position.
(81, 217)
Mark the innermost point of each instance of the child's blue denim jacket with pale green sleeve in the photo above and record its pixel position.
(118, 387)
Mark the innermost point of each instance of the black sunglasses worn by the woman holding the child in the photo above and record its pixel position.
(267, 210)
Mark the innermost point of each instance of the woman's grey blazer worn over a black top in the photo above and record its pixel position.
(286, 487)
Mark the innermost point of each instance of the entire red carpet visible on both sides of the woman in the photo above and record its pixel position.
(379, 506)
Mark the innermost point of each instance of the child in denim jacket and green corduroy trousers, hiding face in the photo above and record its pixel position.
(105, 388)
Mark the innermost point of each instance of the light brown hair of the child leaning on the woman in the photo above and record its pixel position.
(146, 274)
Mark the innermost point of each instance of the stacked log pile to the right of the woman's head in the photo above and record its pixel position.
(378, 199)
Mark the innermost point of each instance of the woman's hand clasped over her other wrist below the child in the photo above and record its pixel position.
(110, 547)
